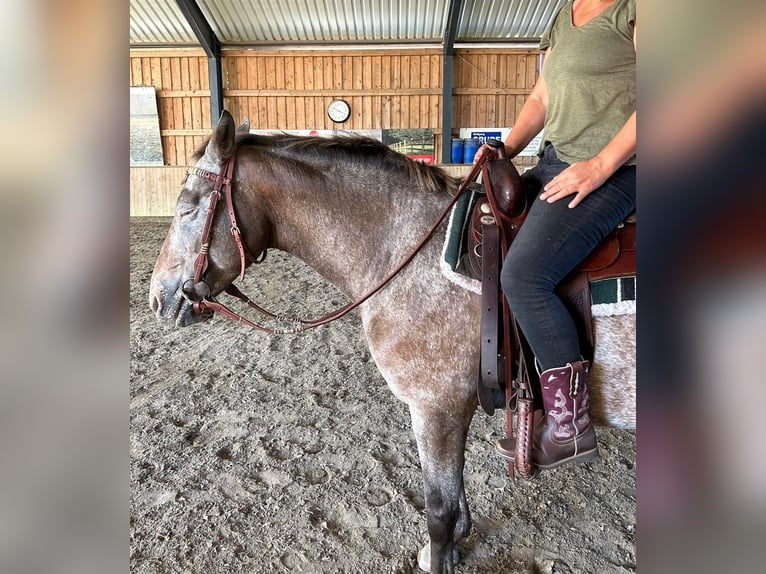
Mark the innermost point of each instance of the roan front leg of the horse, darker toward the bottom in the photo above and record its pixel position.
(441, 441)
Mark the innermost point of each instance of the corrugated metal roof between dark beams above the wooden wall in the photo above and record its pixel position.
(242, 22)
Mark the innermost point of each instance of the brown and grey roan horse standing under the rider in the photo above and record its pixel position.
(353, 210)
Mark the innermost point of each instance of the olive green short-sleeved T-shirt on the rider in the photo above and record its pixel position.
(590, 73)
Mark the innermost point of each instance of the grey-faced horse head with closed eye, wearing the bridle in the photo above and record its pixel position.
(204, 250)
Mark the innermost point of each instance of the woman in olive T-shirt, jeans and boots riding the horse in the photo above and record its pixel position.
(585, 103)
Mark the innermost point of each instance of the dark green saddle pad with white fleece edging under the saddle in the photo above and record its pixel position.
(608, 296)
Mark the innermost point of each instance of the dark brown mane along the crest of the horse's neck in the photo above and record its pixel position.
(349, 149)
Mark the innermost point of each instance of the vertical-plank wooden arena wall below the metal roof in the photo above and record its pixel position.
(290, 89)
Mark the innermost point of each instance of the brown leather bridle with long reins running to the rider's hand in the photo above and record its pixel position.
(207, 305)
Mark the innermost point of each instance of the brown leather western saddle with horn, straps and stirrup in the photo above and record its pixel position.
(505, 355)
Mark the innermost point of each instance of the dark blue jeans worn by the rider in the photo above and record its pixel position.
(553, 240)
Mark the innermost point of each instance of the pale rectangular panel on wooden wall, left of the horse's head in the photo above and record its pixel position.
(145, 142)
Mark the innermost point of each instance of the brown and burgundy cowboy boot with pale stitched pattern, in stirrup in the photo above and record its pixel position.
(565, 434)
